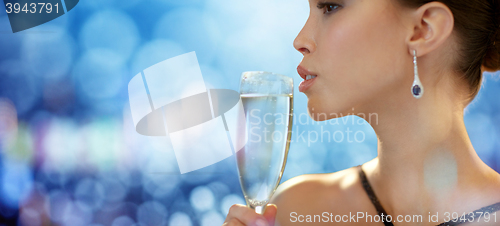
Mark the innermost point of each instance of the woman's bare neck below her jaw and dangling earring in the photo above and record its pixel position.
(425, 157)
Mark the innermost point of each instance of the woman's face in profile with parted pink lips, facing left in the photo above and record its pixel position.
(358, 51)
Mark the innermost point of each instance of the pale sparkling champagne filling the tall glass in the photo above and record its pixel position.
(262, 160)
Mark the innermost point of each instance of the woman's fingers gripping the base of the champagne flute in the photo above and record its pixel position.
(240, 215)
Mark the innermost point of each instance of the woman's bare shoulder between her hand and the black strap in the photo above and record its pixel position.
(319, 194)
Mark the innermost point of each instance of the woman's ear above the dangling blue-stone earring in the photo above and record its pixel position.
(432, 24)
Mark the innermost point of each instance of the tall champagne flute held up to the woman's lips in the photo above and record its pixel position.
(268, 104)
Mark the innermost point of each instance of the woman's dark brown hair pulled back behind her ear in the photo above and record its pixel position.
(477, 24)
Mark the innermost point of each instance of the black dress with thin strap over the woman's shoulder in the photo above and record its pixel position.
(457, 221)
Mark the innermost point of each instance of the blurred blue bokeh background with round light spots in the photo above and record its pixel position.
(69, 153)
